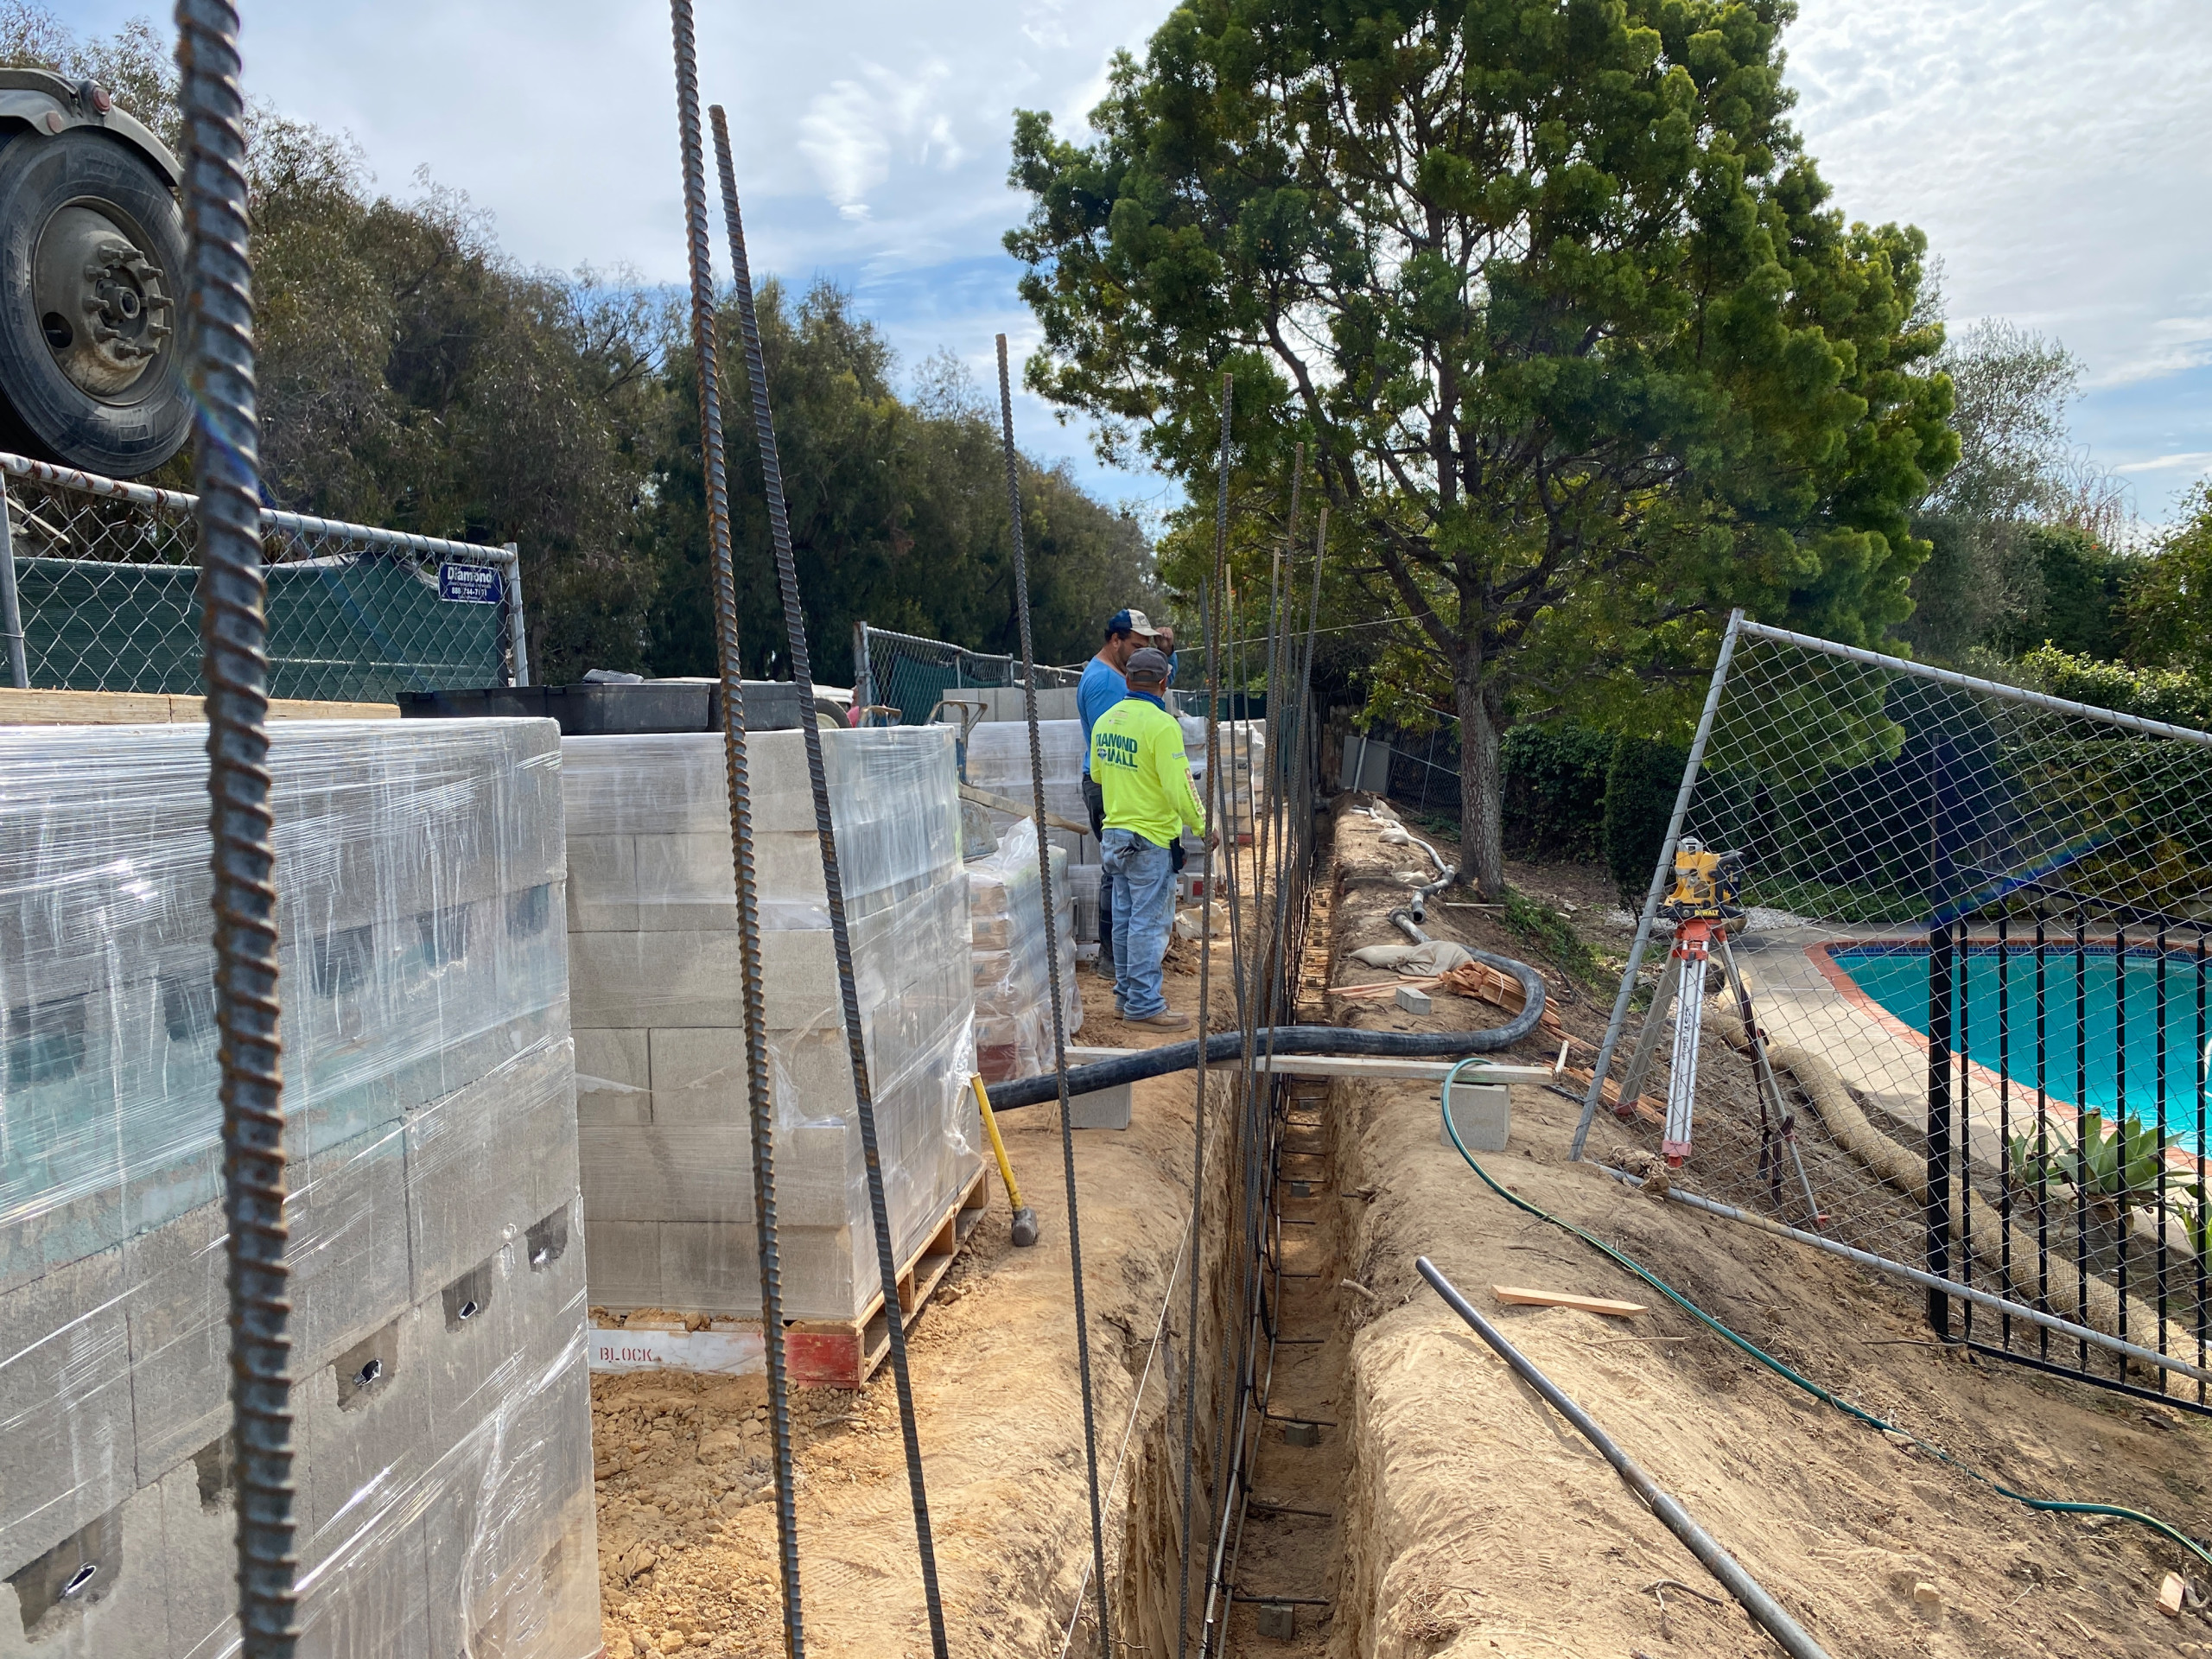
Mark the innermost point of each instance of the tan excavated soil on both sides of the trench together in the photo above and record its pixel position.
(1443, 1512)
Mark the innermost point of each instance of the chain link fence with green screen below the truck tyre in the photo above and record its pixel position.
(98, 592)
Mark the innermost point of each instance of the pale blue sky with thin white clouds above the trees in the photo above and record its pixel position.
(2058, 156)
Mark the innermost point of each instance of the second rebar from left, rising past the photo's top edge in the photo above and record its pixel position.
(729, 658)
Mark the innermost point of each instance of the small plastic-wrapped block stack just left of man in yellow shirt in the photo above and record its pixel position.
(1014, 1003)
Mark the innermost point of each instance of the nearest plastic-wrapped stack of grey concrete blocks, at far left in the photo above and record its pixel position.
(441, 1412)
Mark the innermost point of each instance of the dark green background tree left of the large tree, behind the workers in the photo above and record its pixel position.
(899, 510)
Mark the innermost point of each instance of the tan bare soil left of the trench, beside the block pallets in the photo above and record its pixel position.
(687, 1525)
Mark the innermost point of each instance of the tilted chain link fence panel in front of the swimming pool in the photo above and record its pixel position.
(1976, 943)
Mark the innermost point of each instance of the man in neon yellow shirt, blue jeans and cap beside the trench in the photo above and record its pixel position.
(1140, 766)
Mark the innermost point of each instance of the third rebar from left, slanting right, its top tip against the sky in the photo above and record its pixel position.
(795, 634)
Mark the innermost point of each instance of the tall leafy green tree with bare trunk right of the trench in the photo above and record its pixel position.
(1556, 302)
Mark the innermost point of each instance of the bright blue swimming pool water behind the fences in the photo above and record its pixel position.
(2083, 1003)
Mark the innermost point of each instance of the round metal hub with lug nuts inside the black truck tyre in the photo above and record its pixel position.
(101, 302)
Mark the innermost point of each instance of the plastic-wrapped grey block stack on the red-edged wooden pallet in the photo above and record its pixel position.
(660, 1025)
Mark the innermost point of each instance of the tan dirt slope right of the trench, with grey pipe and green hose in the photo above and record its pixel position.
(1481, 1523)
